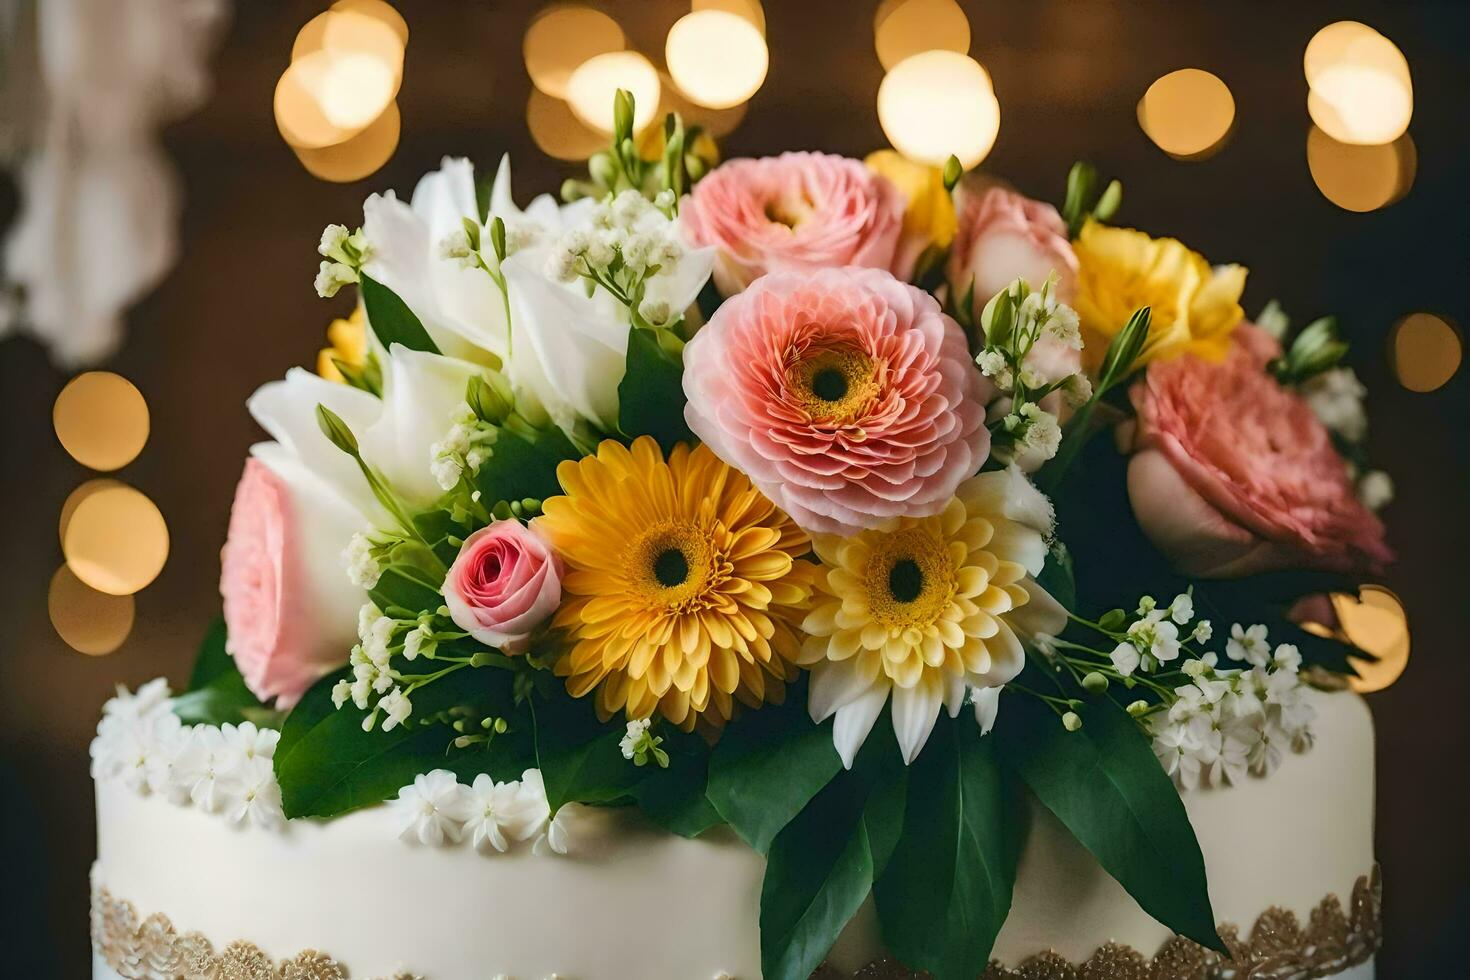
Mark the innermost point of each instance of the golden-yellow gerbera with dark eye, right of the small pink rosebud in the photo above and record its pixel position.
(683, 590)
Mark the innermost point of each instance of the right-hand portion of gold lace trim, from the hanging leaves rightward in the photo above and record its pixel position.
(1278, 950)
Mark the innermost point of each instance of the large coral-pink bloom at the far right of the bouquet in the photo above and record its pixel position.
(1236, 475)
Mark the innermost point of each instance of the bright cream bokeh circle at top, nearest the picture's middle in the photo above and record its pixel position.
(717, 58)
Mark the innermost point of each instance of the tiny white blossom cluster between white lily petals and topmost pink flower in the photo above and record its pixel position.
(630, 240)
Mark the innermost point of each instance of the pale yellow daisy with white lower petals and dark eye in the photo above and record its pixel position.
(928, 612)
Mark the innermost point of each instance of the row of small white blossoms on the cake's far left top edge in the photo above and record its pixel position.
(224, 771)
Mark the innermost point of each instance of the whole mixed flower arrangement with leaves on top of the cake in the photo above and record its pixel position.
(840, 503)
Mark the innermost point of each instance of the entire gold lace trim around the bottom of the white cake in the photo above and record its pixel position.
(1278, 950)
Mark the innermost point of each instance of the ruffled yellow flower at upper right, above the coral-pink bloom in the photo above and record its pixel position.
(1194, 308)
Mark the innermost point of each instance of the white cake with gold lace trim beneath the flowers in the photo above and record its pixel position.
(179, 893)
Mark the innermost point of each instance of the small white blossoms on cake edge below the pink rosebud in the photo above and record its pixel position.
(437, 809)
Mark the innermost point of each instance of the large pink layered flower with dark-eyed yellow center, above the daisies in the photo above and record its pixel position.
(846, 396)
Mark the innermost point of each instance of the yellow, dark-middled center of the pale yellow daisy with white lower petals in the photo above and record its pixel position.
(911, 581)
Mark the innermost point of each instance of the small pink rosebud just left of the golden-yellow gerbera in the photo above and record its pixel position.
(503, 586)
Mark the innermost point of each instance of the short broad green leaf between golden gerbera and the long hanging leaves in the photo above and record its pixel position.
(768, 766)
